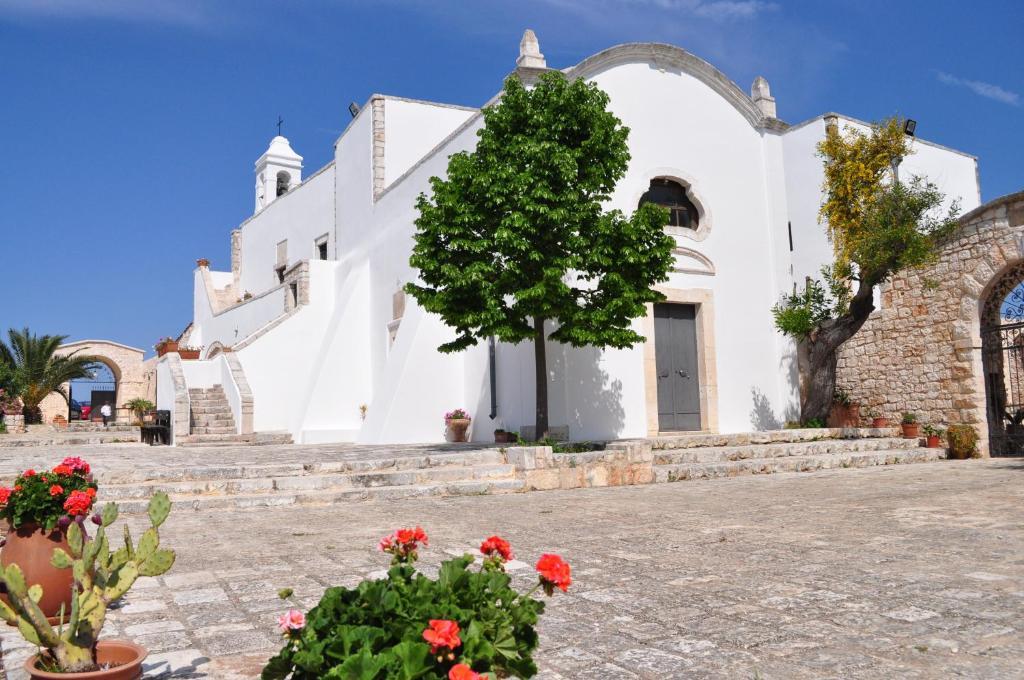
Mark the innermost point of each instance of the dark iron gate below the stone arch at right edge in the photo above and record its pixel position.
(1003, 358)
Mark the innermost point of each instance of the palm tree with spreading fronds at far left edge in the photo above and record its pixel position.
(39, 369)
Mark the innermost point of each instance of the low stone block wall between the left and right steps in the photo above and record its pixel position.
(619, 465)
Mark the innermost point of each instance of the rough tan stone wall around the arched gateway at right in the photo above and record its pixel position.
(921, 353)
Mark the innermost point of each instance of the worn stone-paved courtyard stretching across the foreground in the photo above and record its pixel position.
(911, 572)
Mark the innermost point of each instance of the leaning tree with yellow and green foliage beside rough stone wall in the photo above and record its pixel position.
(878, 226)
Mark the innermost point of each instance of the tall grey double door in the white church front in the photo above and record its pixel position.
(676, 359)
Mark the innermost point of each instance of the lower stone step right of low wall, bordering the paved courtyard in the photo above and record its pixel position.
(735, 469)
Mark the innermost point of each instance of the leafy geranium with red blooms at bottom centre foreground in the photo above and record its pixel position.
(464, 625)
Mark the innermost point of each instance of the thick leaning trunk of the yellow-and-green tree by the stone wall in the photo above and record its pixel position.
(823, 355)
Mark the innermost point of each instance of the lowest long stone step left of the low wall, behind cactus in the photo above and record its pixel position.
(334, 497)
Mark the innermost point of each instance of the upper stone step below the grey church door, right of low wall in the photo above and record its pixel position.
(779, 450)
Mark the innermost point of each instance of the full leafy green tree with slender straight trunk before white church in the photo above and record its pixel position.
(518, 235)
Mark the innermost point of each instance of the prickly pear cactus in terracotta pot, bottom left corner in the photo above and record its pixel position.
(74, 649)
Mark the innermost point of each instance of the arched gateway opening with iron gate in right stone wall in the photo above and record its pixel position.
(1003, 361)
